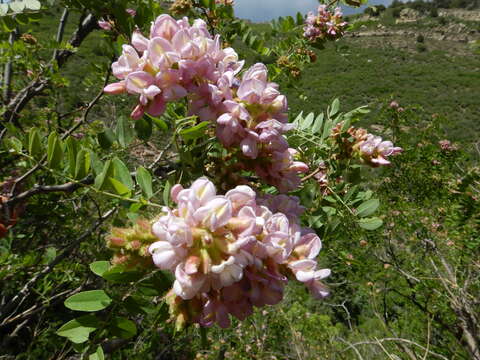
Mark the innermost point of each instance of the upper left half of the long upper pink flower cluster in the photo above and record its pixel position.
(177, 59)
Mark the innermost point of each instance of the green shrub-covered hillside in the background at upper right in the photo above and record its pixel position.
(441, 76)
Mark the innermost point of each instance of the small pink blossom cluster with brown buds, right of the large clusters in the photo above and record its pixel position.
(373, 150)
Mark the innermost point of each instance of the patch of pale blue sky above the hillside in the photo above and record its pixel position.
(264, 10)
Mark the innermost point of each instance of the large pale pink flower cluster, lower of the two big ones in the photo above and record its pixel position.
(232, 252)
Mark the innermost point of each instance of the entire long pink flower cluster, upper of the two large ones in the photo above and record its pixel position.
(180, 60)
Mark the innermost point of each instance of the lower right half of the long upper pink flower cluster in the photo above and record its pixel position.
(255, 121)
